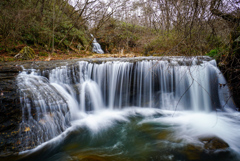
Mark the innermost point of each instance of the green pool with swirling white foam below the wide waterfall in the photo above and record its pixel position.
(142, 134)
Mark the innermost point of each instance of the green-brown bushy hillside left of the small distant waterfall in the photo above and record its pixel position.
(27, 22)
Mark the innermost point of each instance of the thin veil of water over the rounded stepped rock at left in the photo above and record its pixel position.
(45, 110)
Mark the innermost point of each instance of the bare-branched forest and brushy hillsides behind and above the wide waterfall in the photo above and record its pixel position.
(143, 27)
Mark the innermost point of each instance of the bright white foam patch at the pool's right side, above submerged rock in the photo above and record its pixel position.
(191, 125)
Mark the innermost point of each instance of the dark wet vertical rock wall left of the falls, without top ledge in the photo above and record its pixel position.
(10, 110)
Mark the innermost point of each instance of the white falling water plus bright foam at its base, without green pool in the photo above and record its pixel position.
(186, 92)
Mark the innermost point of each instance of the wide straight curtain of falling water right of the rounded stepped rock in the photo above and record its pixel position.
(165, 84)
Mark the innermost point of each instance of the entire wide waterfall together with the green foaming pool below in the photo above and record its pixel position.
(151, 101)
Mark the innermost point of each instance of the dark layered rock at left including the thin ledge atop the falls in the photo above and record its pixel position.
(12, 140)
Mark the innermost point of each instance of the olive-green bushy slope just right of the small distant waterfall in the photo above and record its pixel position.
(116, 35)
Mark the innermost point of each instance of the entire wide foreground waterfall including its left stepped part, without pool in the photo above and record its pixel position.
(69, 92)
